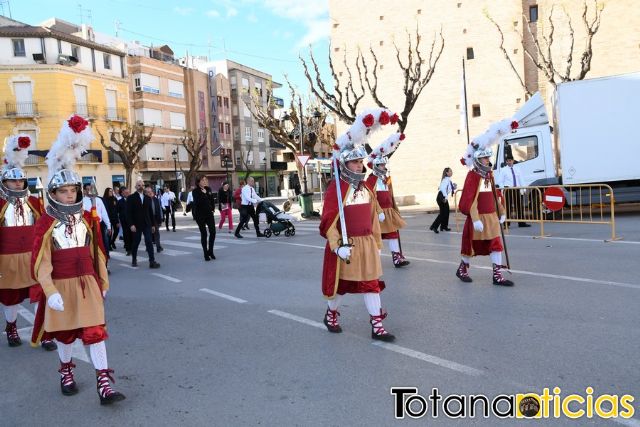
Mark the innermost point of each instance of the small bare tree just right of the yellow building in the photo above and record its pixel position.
(132, 140)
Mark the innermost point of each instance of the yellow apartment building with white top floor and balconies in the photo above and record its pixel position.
(46, 75)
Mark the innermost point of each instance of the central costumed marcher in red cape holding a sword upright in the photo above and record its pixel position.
(352, 263)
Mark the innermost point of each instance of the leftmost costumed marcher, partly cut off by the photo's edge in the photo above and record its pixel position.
(19, 212)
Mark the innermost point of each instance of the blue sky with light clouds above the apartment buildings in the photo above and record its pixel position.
(263, 34)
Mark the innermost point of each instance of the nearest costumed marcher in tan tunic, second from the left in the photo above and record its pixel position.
(69, 261)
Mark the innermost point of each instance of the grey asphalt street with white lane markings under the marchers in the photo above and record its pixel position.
(239, 340)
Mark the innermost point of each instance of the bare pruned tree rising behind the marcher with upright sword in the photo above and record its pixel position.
(348, 91)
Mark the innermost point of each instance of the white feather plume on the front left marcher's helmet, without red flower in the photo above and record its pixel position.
(68, 148)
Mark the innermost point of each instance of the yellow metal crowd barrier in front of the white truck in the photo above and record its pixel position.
(584, 204)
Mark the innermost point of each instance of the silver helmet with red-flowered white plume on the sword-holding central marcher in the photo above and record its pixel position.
(350, 145)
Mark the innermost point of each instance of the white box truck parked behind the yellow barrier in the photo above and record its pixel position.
(593, 139)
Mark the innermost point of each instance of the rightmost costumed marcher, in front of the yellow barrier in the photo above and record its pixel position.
(481, 234)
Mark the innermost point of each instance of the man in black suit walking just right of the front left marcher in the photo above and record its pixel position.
(140, 223)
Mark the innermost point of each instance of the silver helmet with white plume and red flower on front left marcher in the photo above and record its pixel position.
(73, 140)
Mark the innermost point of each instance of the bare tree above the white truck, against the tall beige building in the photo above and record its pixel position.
(542, 54)
